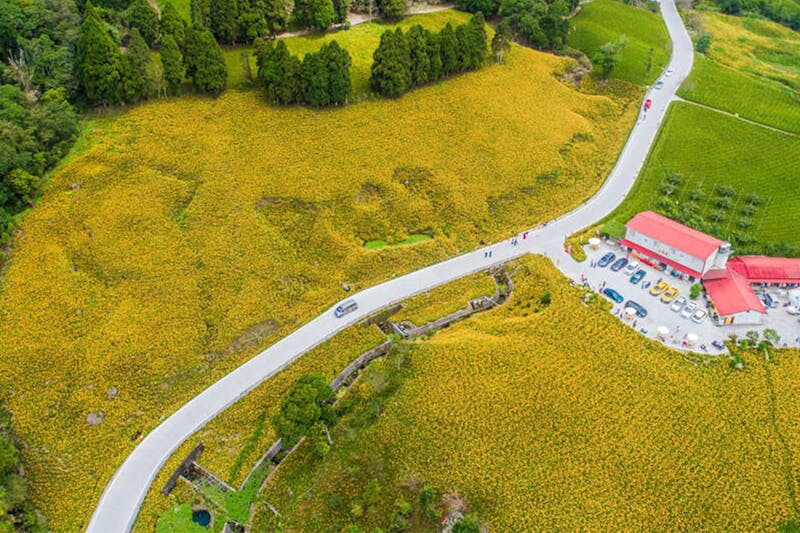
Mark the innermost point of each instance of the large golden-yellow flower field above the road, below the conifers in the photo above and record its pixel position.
(199, 230)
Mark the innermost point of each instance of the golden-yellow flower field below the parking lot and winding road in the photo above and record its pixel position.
(556, 417)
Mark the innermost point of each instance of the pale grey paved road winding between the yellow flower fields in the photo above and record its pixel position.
(120, 502)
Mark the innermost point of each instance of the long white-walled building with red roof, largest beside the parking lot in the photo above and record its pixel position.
(672, 247)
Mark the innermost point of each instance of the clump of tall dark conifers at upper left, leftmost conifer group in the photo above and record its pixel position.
(108, 75)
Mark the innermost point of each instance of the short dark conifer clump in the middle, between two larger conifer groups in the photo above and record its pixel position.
(321, 79)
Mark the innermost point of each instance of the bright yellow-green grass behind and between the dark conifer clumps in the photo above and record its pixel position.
(360, 41)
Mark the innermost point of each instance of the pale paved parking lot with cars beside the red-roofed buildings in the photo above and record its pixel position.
(664, 321)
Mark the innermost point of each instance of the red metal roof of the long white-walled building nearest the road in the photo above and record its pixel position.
(674, 234)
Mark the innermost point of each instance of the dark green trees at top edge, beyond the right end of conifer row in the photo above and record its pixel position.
(542, 24)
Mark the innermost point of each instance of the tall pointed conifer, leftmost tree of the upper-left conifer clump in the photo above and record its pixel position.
(97, 61)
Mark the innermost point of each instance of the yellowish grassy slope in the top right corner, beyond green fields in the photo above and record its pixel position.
(755, 46)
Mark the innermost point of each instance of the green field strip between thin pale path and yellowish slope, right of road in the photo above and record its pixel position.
(752, 97)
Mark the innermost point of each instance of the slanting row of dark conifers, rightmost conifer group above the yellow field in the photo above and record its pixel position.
(406, 60)
